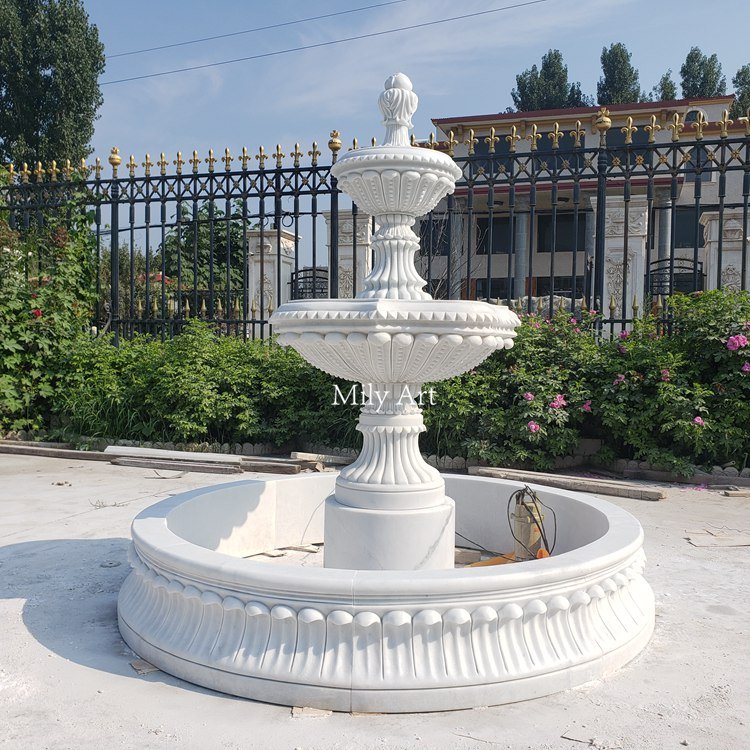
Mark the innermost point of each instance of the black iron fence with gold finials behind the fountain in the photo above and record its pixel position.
(540, 223)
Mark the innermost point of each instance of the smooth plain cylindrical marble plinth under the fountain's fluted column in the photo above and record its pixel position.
(362, 539)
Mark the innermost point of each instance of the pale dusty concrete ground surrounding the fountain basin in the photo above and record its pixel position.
(66, 679)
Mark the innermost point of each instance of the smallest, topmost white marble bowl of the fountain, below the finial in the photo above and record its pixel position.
(396, 179)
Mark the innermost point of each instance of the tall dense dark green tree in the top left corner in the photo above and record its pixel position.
(50, 62)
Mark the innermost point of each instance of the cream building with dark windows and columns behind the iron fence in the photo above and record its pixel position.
(524, 220)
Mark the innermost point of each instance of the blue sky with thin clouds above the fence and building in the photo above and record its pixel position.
(458, 68)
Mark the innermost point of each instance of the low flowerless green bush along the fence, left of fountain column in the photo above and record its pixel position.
(200, 387)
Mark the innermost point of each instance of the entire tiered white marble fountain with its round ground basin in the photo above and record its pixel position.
(388, 623)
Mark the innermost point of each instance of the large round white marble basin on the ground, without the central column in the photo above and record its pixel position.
(198, 605)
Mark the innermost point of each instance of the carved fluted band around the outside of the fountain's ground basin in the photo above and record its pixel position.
(361, 649)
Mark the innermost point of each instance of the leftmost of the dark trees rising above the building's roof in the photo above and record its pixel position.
(547, 87)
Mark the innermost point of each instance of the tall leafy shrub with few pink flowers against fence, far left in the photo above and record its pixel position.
(41, 316)
